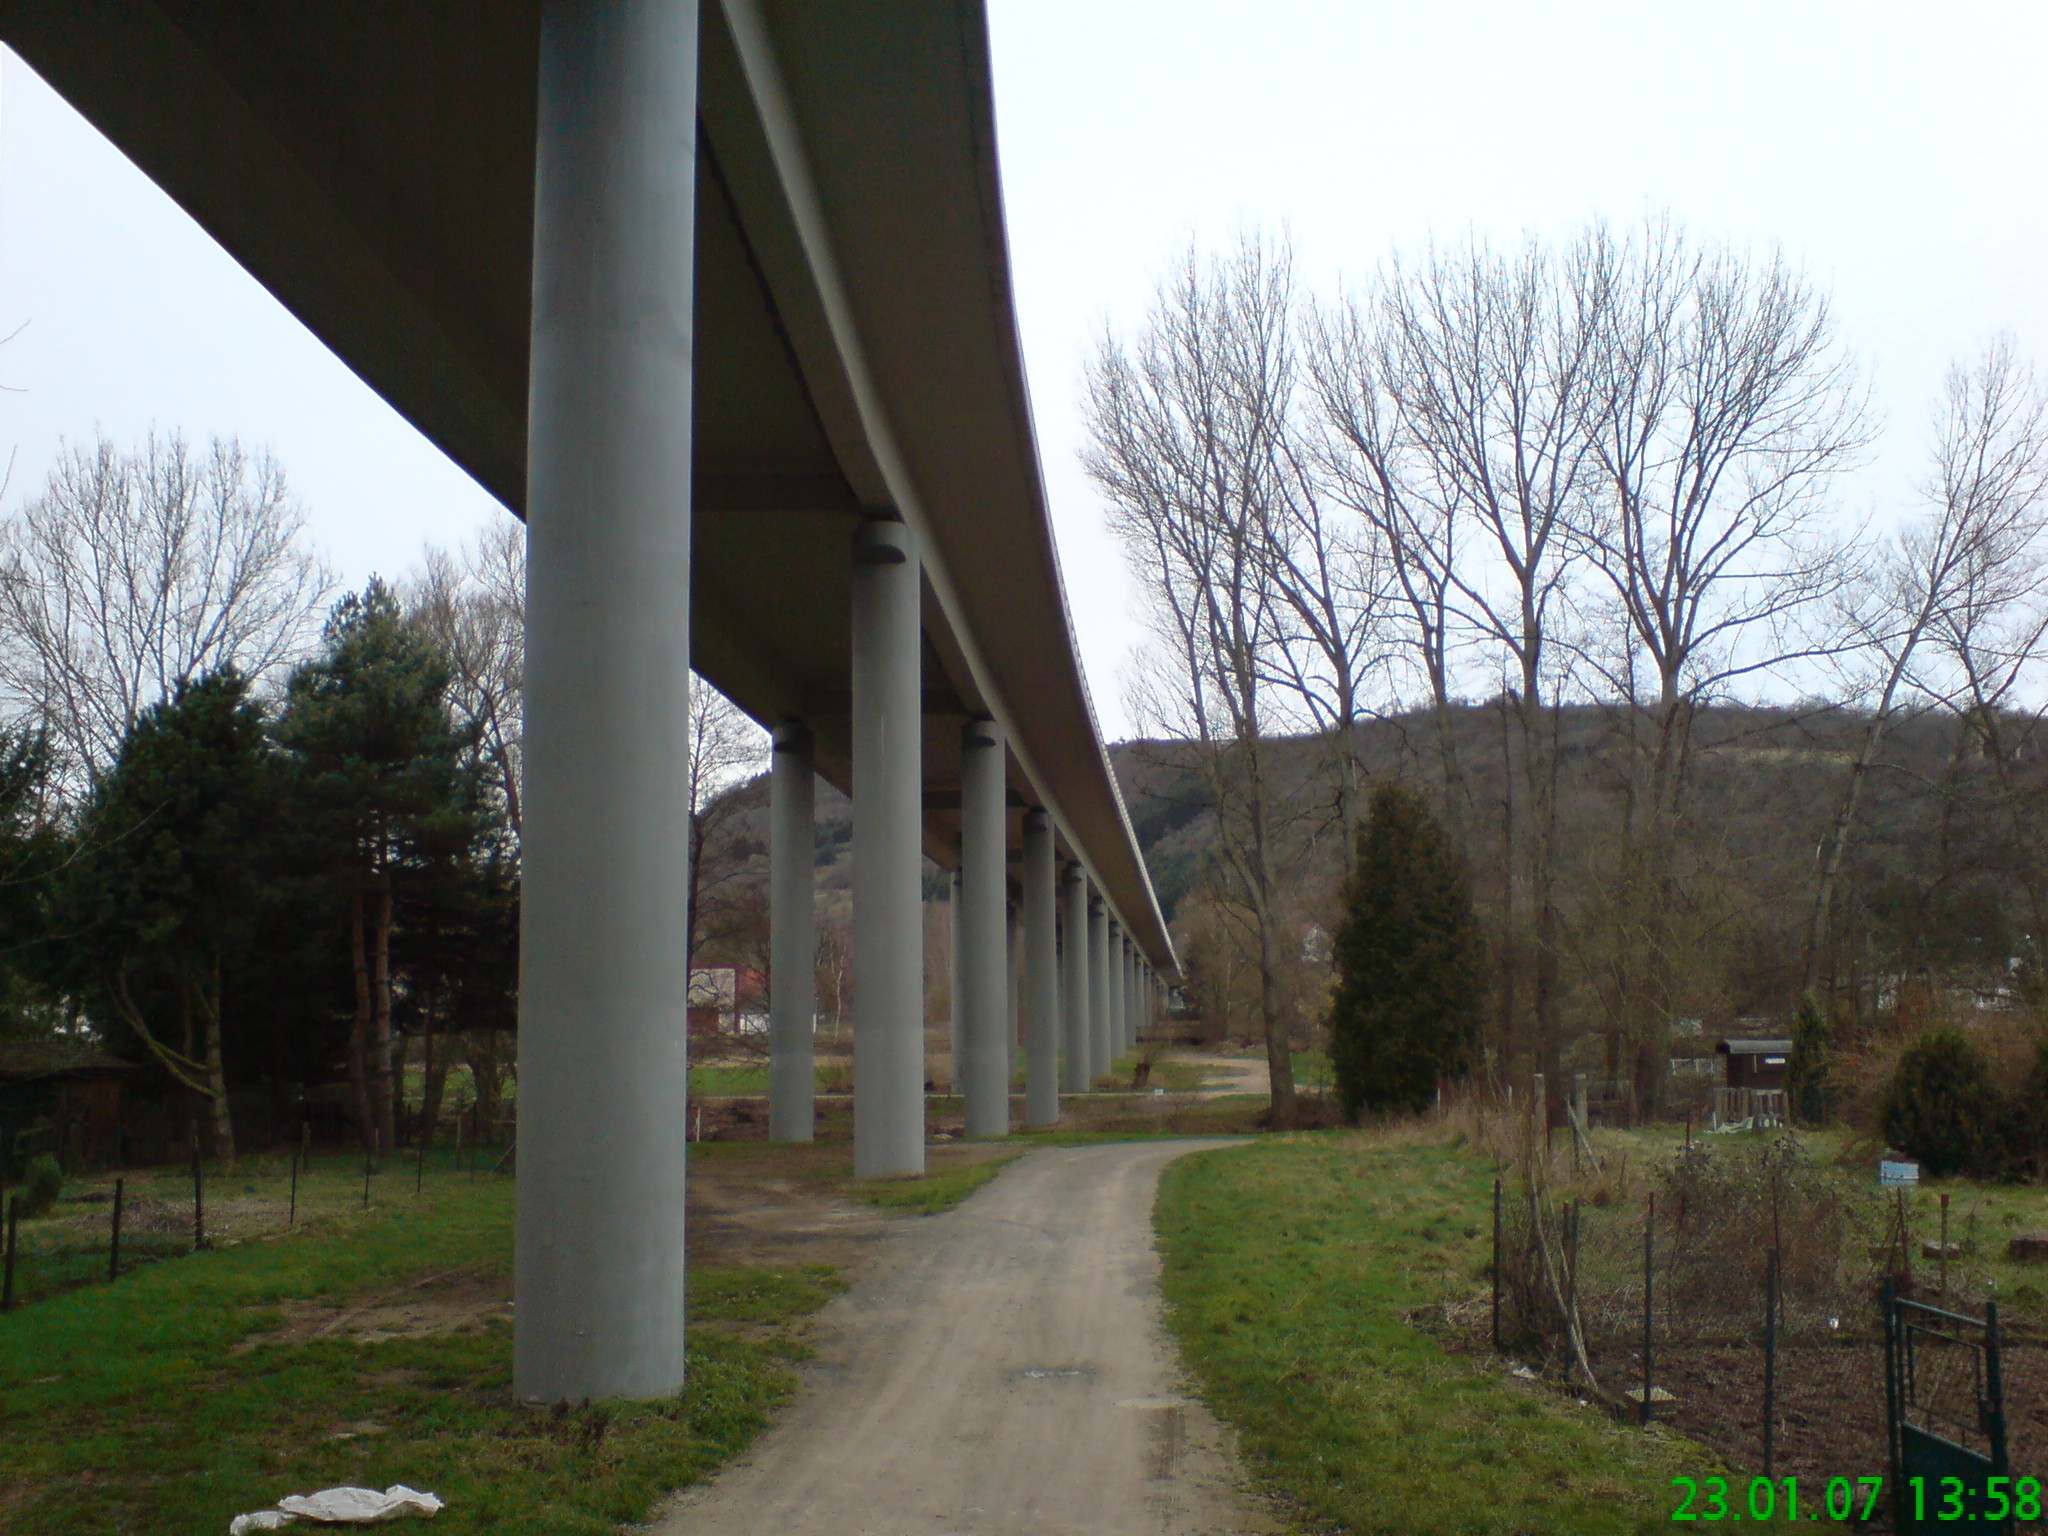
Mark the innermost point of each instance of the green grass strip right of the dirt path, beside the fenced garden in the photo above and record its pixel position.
(1293, 1269)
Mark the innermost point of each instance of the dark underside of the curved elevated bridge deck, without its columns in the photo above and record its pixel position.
(857, 349)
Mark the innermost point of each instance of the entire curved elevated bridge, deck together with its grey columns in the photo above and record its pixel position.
(716, 294)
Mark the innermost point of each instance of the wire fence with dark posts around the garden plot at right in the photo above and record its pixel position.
(1736, 1293)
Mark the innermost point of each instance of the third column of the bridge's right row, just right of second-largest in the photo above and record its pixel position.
(982, 941)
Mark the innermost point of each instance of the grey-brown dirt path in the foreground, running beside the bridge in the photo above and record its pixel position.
(1000, 1371)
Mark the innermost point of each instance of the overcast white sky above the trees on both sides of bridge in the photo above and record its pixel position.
(1895, 148)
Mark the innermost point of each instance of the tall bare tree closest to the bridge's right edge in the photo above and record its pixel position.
(1189, 429)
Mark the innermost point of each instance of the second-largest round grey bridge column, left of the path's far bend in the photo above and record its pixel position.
(888, 855)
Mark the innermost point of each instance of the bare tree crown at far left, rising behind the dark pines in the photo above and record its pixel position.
(134, 572)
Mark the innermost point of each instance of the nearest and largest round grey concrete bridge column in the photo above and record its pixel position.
(603, 1043)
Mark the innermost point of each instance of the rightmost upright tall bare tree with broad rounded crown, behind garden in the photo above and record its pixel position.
(1719, 417)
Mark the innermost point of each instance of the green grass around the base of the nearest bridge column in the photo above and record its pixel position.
(130, 1408)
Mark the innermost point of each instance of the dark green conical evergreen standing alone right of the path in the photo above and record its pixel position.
(1406, 1013)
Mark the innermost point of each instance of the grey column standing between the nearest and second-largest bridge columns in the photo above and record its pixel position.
(792, 935)
